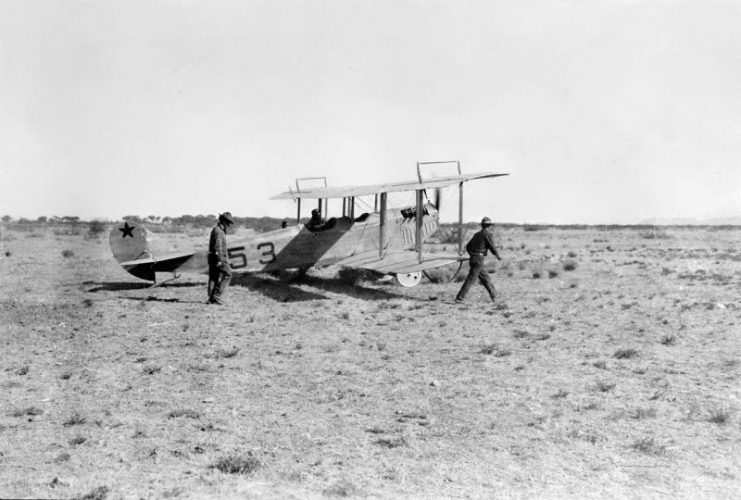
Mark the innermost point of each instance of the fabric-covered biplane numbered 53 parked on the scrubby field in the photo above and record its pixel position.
(387, 240)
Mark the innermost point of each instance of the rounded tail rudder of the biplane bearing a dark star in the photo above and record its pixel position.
(130, 245)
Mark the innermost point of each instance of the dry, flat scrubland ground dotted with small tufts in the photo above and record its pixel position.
(615, 373)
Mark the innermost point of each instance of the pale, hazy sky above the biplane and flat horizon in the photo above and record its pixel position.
(601, 111)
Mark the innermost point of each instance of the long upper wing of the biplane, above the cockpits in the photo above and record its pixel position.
(346, 191)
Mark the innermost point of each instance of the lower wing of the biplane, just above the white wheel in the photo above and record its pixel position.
(399, 261)
